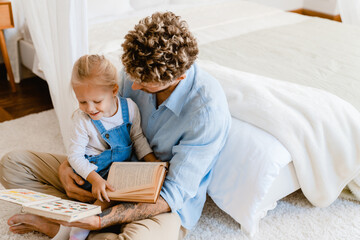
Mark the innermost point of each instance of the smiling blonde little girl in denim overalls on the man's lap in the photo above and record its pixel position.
(106, 128)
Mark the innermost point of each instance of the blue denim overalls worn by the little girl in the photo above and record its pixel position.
(119, 141)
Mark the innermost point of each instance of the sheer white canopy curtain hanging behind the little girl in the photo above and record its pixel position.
(59, 32)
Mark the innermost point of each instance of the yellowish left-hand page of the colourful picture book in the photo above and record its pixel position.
(24, 196)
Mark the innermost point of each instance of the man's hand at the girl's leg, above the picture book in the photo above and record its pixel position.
(69, 179)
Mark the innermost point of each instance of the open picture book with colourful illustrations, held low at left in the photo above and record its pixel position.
(49, 206)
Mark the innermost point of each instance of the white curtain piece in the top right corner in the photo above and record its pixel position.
(350, 11)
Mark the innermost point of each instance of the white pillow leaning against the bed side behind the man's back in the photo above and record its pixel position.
(247, 166)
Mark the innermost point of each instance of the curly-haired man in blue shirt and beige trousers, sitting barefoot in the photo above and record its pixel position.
(186, 120)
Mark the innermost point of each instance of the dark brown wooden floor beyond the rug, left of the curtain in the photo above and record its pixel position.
(32, 96)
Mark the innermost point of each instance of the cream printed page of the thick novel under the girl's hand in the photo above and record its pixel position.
(130, 176)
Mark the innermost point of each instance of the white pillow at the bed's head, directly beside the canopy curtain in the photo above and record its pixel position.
(104, 8)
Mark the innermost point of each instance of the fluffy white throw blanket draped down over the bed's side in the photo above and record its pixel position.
(320, 130)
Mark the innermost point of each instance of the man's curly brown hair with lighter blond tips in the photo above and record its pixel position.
(160, 49)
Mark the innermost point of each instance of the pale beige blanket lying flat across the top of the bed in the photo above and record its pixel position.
(317, 53)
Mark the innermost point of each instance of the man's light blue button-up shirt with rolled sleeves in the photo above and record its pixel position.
(188, 129)
